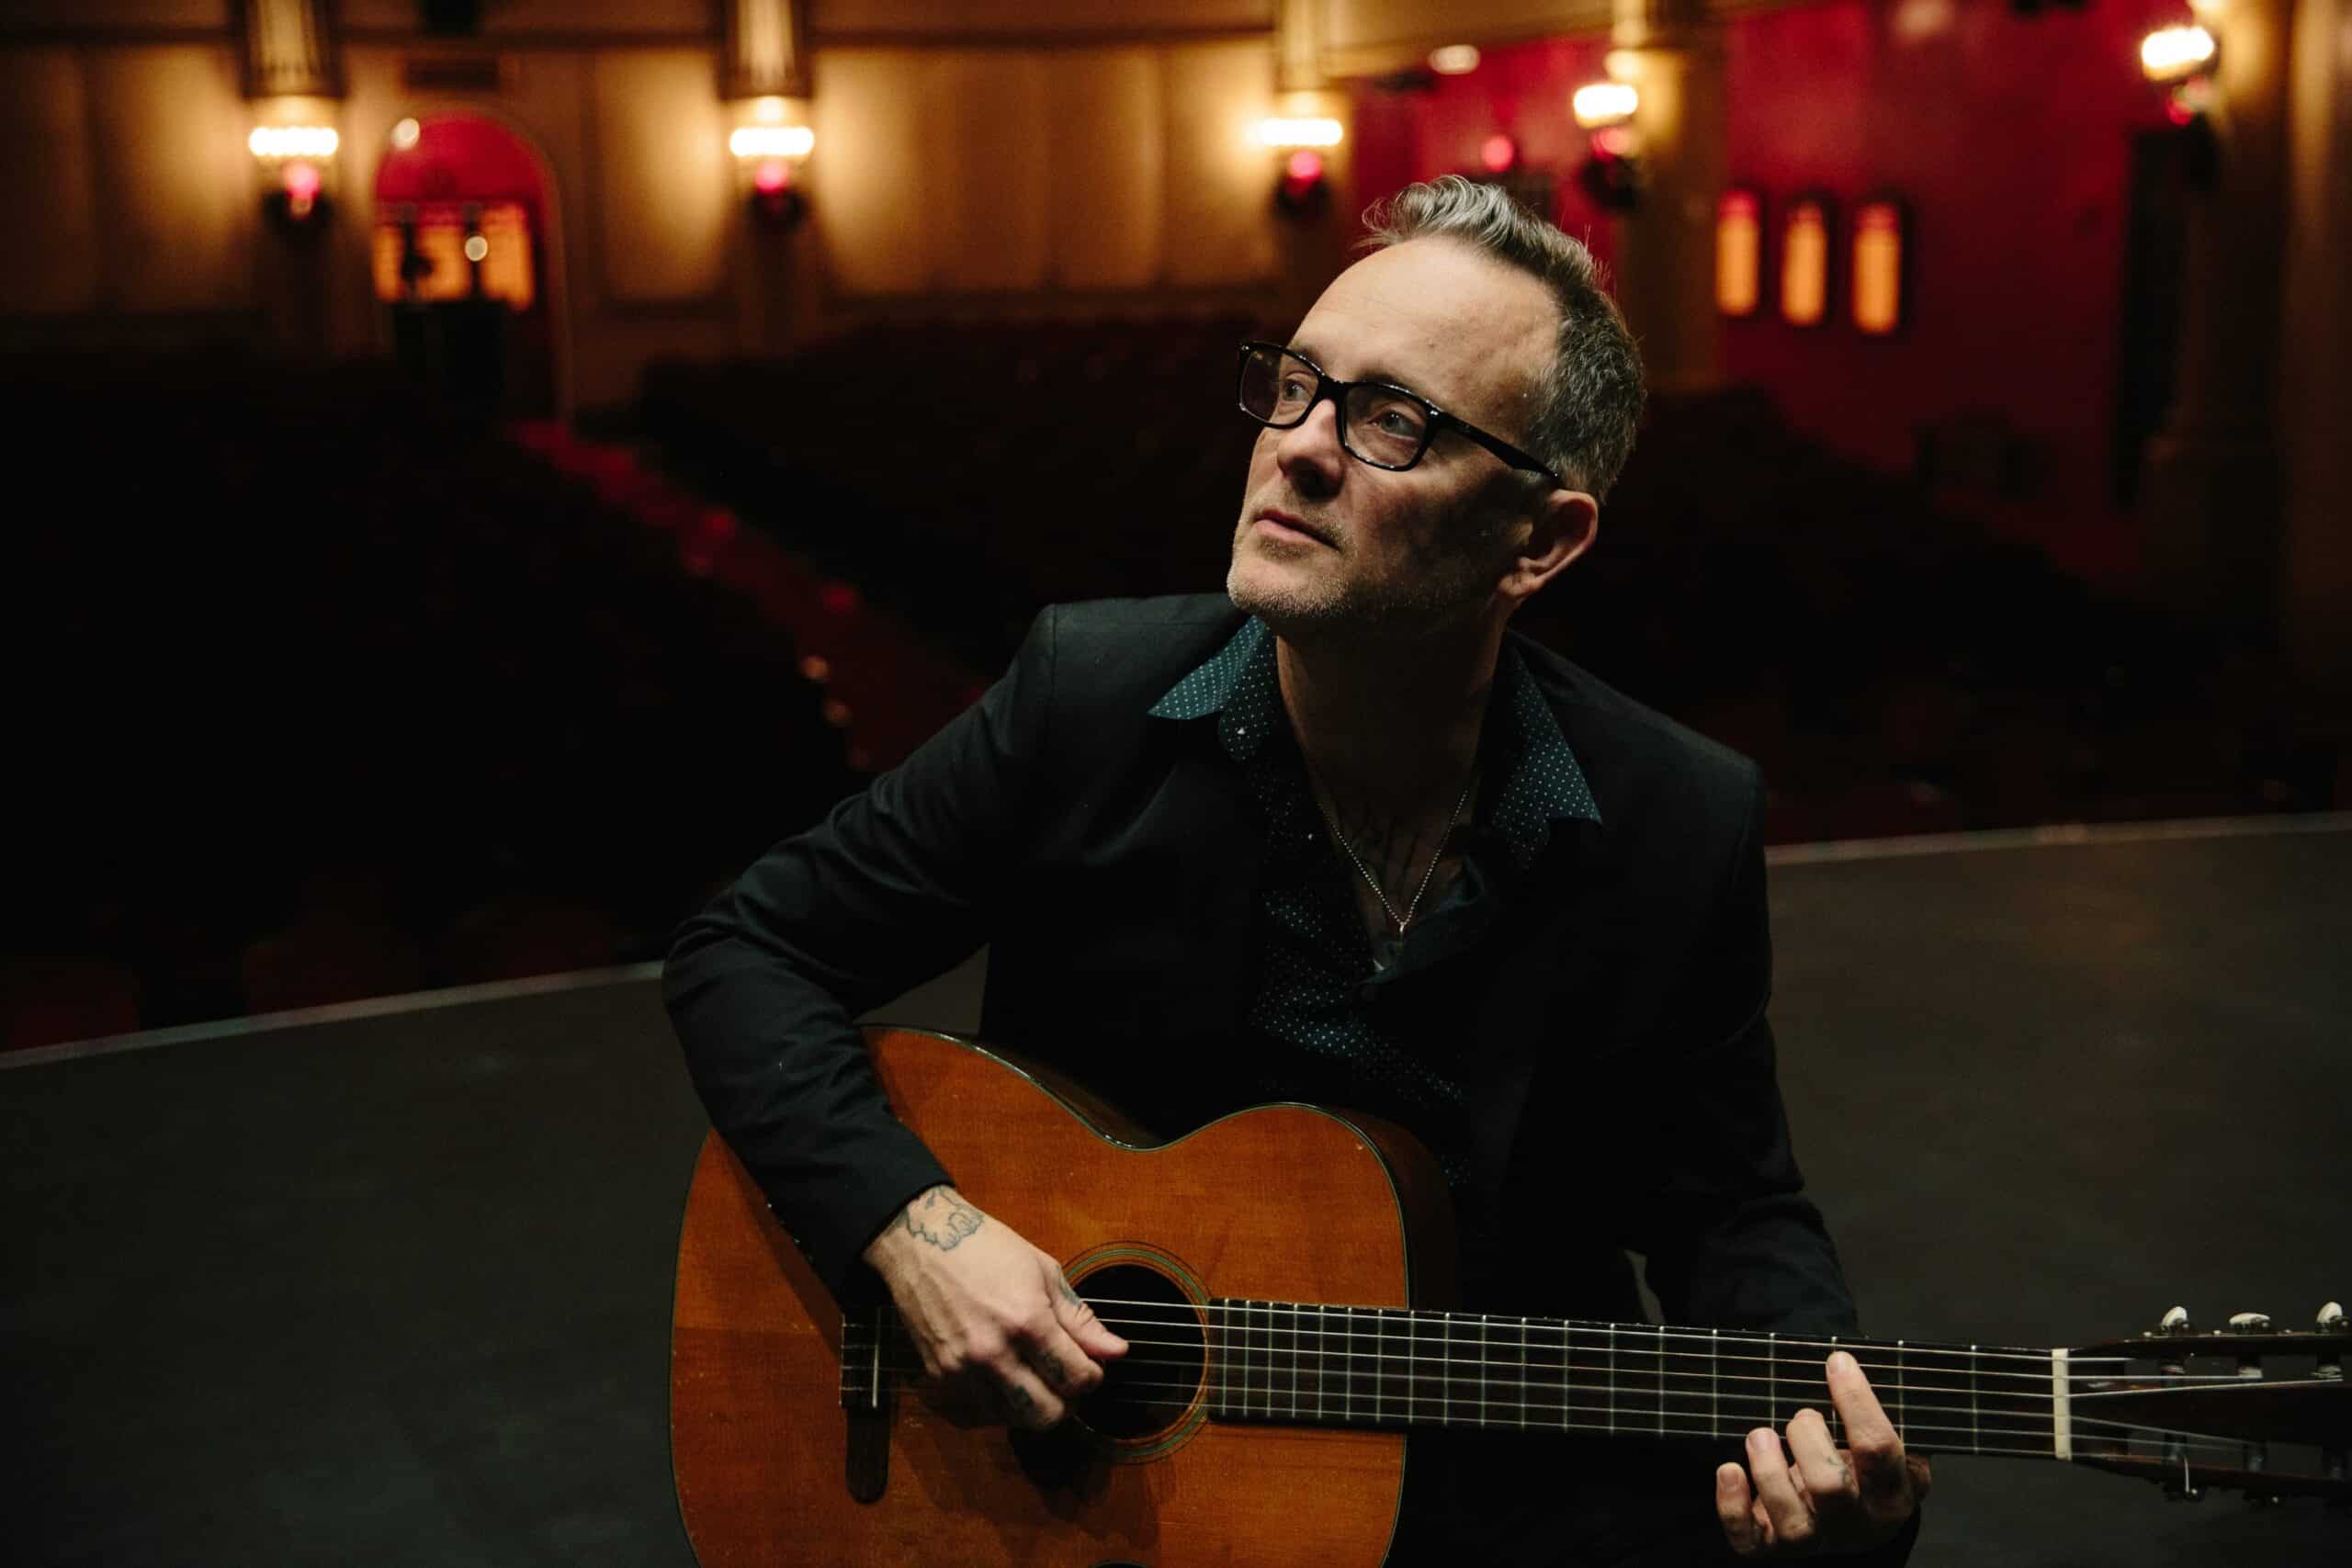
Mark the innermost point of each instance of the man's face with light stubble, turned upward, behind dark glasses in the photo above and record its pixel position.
(1328, 542)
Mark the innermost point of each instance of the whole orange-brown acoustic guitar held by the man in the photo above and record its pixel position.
(1271, 1275)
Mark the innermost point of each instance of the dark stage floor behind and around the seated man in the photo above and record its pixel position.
(392, 1285)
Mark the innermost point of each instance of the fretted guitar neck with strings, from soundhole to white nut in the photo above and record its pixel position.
(1368, 1367)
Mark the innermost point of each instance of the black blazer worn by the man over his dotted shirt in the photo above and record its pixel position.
(1624, 1078)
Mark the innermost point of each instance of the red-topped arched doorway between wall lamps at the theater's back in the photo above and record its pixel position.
(467, 262)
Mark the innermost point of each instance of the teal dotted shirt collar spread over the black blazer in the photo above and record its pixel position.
(1542, 779)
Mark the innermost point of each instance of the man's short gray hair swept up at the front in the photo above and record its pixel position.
(1591, 398)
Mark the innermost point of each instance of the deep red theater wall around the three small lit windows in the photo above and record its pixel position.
(2007, 135)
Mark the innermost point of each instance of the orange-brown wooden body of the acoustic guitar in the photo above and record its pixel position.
(1271, 1205)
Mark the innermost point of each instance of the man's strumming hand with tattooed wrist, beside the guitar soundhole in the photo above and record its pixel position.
(994, 1318)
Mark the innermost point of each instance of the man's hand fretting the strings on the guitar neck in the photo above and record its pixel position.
(1833, 1499)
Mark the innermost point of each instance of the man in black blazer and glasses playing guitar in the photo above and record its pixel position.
(1347, 840)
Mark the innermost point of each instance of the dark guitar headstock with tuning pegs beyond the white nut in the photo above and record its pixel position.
(2250, 1407)
